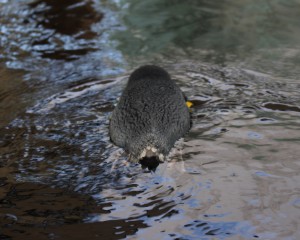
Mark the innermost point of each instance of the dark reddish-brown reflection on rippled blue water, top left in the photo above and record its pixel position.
(68, 17)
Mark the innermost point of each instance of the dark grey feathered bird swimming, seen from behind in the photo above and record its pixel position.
(150, 116)
